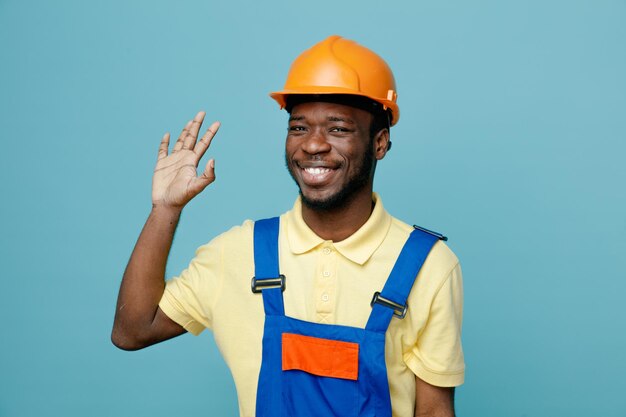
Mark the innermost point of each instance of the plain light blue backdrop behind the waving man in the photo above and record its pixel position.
(511, 141)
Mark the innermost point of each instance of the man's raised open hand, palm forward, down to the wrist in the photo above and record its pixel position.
(175, 181)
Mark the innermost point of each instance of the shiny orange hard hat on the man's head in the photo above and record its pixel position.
(341, 66)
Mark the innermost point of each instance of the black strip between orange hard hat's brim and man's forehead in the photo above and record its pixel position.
(381, 116)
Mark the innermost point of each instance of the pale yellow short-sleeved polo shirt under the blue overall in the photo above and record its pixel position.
(326, 282)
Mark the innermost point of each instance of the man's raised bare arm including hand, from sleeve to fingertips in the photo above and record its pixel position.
(138, 320)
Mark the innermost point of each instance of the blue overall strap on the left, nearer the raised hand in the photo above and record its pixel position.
(267, 278)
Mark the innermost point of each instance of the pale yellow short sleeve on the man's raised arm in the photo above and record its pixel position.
(188, 299)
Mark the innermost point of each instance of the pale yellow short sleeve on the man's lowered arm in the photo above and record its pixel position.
(437, 357)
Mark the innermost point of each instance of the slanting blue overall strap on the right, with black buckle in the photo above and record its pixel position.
(398, 286)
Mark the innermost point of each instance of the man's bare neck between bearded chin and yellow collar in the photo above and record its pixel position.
(342, 222)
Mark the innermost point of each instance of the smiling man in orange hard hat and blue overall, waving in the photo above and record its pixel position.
(335, 308)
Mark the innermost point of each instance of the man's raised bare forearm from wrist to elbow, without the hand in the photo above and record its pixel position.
(143, 282)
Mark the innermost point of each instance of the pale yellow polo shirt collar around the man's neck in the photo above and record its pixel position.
(358, 248)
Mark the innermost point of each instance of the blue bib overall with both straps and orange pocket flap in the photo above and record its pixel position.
(329, 388)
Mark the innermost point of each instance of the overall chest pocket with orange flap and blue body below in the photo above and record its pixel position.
(320, 376)
